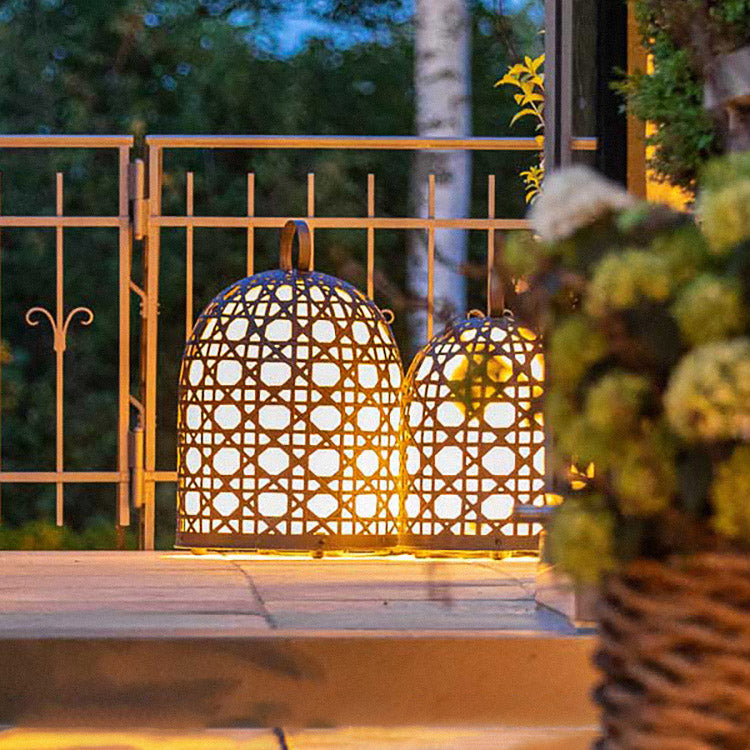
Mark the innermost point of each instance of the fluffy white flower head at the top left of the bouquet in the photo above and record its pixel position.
(573, 198)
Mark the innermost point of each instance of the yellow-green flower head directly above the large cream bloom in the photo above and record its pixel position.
(709, 309)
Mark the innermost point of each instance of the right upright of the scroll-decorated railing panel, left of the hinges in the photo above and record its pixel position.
(123, 416)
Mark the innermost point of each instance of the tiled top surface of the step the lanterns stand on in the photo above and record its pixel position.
(101, 594)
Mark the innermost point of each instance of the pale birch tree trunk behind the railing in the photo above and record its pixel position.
(442, 81)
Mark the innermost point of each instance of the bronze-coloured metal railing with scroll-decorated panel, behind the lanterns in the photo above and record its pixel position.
(140, 217)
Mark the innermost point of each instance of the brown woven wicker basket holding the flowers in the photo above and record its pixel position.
(675, 653)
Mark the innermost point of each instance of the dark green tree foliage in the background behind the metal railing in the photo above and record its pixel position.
(190, 66)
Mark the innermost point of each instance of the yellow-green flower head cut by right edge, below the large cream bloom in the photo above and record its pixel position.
(730, 495)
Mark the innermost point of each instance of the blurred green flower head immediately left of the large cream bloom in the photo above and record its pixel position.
(615, 401)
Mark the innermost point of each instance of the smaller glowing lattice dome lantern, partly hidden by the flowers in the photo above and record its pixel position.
(473, 437)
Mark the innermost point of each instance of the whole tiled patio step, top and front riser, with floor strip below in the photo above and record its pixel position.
(176, 640)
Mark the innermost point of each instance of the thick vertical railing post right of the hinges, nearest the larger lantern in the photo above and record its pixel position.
(150, 347)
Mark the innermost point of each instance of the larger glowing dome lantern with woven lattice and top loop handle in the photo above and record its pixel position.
(288, 418)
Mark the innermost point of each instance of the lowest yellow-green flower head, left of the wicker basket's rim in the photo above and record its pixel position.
(581, 539)
